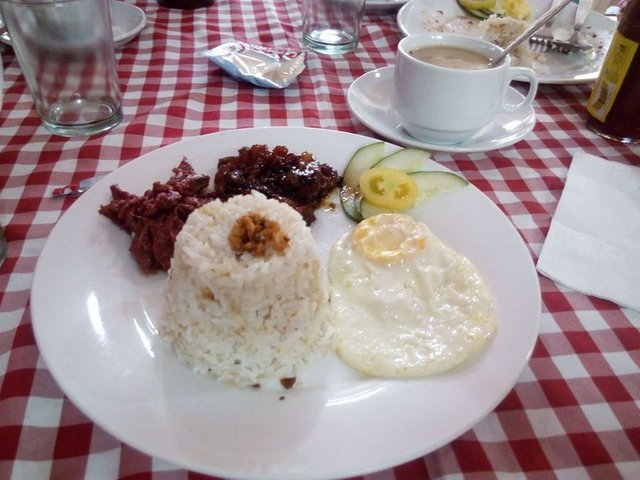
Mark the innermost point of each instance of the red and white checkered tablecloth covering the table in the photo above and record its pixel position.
(575, 411)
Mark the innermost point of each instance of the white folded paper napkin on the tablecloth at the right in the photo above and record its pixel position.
(593, 244)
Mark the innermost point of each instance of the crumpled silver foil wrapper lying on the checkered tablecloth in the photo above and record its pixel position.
(262, 66)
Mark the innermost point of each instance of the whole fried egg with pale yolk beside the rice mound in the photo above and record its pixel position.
(403, 303)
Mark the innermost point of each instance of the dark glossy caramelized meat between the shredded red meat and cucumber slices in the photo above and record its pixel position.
(298, 180)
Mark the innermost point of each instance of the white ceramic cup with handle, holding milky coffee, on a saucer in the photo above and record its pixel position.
(448, 105)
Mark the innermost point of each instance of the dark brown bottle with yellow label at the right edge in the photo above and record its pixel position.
(613, 109)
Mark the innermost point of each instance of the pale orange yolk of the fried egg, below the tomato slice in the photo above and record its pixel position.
(388, 237)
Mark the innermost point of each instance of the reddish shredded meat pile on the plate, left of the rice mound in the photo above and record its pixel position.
(155, 218)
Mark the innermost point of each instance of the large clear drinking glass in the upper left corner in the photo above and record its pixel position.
(66, 53)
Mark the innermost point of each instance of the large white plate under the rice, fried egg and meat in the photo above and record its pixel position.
(95, 318)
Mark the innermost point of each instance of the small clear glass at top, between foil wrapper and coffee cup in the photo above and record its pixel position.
(331, 26)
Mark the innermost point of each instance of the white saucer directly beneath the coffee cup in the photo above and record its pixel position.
(369, 100)
